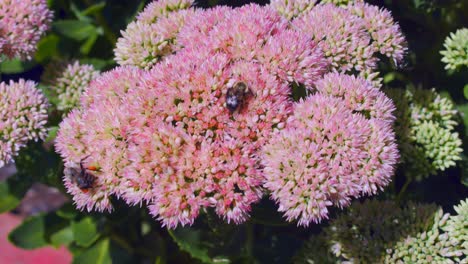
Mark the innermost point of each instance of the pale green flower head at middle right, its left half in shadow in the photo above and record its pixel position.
(425, 129)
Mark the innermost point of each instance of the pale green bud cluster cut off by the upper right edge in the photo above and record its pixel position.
(455, 54)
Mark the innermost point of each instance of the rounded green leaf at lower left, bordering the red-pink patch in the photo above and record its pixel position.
(30, 234)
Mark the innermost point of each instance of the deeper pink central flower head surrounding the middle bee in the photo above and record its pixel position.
(221, 165)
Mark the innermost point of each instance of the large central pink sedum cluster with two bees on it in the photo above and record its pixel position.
(211, 122)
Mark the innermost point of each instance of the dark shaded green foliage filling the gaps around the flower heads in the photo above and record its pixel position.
(87, 30)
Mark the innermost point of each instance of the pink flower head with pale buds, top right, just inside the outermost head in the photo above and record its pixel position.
(341, 35)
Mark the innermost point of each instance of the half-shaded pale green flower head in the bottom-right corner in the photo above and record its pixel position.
(383, 232)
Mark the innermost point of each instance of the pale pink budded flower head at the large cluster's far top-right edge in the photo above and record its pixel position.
(386, 34)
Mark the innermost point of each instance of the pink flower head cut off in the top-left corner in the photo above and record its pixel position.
(22, 23)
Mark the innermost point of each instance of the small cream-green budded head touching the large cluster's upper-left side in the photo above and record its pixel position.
(69, 82)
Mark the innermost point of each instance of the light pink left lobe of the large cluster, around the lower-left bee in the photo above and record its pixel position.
(95, 135)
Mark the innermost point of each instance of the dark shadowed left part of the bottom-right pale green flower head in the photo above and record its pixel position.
(367, 230)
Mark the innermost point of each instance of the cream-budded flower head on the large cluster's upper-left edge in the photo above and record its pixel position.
(144, 44)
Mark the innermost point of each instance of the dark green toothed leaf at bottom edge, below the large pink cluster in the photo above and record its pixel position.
(190, 241)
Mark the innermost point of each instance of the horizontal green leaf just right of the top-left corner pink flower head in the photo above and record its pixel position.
(75, 29)
